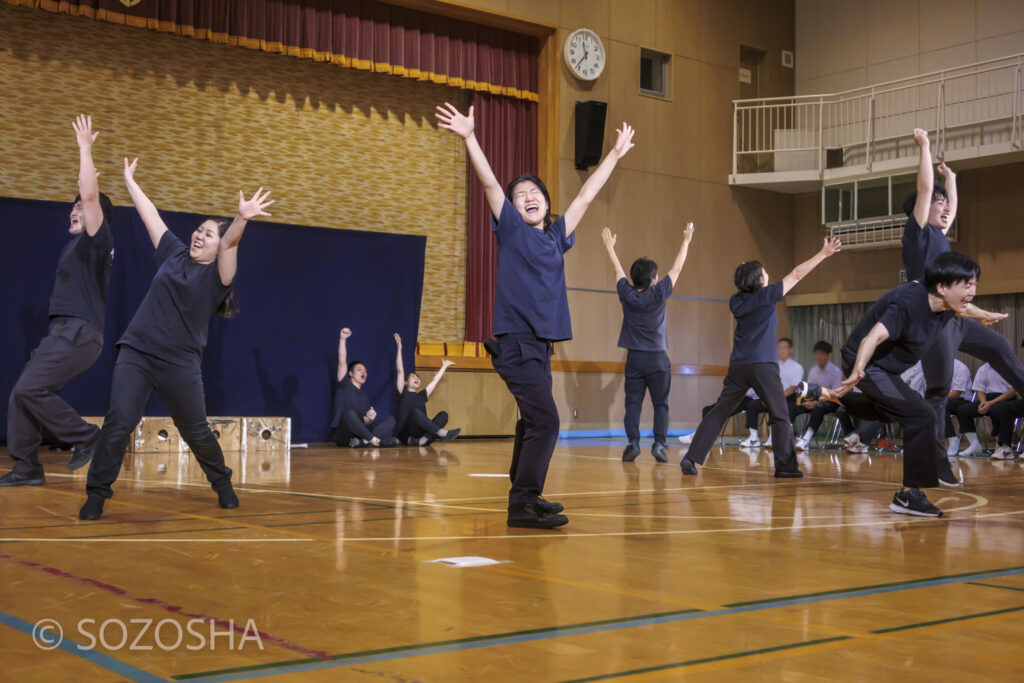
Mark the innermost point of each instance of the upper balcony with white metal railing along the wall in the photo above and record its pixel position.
(796, 145)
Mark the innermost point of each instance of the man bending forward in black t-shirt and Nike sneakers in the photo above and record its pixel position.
(897, 333)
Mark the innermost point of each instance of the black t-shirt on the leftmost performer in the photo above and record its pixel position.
(84, 277)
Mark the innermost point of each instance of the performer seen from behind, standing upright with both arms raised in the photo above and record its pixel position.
(644, 335)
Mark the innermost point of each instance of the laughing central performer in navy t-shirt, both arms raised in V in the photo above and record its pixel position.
(532, 311)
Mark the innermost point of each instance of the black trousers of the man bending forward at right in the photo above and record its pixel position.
(886, 398)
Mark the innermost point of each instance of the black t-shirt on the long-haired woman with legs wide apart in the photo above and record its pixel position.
(174, 319)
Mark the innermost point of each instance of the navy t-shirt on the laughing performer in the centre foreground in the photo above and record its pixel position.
(530, 296)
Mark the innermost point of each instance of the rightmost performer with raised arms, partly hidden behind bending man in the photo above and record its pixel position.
(931, 211)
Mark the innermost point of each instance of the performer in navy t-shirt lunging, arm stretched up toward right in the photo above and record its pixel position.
(754, 364)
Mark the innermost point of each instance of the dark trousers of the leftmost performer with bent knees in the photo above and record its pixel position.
(71, 347)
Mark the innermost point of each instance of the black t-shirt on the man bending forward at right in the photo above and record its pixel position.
(912, 325)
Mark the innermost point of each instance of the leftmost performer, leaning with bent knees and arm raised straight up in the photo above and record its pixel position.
(78, 306)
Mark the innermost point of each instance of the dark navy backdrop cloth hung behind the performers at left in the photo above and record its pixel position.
(297, 287)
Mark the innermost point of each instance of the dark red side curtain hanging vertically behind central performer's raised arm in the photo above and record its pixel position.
(507, 132)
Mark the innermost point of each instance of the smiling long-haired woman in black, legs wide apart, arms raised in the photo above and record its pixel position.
(162, 349)
